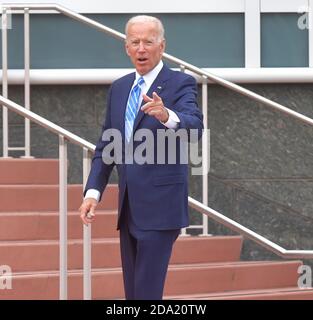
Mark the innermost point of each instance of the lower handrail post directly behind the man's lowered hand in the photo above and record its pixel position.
(87, 232)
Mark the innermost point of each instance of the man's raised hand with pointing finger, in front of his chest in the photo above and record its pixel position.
(154, 107)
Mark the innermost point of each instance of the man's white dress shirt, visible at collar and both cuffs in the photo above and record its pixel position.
(171, 123)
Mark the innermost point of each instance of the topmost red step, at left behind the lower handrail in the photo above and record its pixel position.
(29, 171)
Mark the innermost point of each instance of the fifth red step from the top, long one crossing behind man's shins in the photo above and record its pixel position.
(181, 280)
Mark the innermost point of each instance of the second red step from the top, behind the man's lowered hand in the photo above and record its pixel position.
(30, 198)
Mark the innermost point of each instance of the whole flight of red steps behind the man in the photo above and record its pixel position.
(200, 268)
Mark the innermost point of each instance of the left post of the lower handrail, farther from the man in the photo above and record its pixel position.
(63, 215)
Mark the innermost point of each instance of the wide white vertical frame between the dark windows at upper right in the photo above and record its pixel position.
(252, 34)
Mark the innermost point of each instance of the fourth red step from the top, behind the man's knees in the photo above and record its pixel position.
(27, 256)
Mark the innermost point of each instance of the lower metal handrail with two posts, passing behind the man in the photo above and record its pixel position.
(88, 150)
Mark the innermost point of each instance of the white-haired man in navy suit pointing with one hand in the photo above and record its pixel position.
(153, 197)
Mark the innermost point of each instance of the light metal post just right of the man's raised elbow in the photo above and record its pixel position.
(205, 154)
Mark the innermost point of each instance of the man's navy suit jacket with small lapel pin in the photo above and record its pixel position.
(157, 193)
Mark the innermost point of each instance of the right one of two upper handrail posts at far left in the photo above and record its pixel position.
(27, 79)
